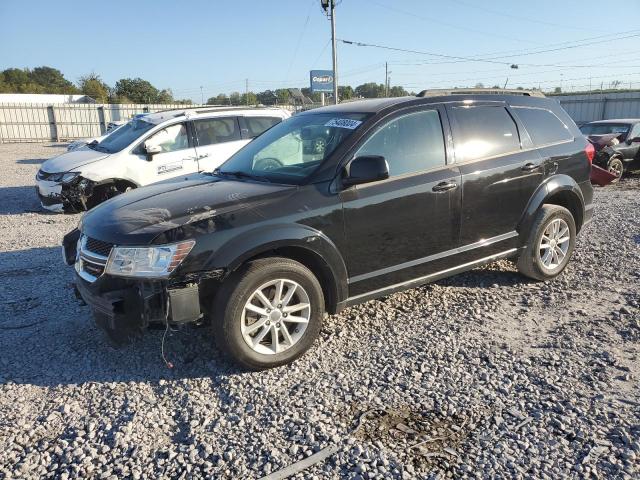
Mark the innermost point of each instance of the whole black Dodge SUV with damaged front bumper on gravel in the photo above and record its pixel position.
(406, 191)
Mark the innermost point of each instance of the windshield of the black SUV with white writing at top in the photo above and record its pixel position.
(292, 150)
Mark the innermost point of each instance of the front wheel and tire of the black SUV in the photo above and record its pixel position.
(268, 313)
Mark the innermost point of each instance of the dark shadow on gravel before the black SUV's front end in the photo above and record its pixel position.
(48, 338)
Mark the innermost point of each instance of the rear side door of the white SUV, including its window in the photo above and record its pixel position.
(216, 139)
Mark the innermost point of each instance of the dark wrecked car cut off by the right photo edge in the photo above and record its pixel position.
(617, 144)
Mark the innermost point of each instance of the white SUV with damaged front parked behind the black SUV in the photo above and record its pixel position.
(149, 149)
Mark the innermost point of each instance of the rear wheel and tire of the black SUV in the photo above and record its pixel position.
(550, 244)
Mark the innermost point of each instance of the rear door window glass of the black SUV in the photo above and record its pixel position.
(484, 131)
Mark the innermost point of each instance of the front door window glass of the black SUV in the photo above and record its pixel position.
(410, 143)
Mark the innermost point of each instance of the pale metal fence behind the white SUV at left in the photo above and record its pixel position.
(37, 122)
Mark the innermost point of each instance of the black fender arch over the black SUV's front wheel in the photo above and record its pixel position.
(258, 241)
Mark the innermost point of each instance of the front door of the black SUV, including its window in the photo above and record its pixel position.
(401, 228)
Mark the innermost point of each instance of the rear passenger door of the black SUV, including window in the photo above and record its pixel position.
(500, 171)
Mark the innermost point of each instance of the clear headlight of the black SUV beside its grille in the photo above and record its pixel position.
(149, 262)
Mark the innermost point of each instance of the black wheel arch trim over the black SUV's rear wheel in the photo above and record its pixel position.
(558, 186)
